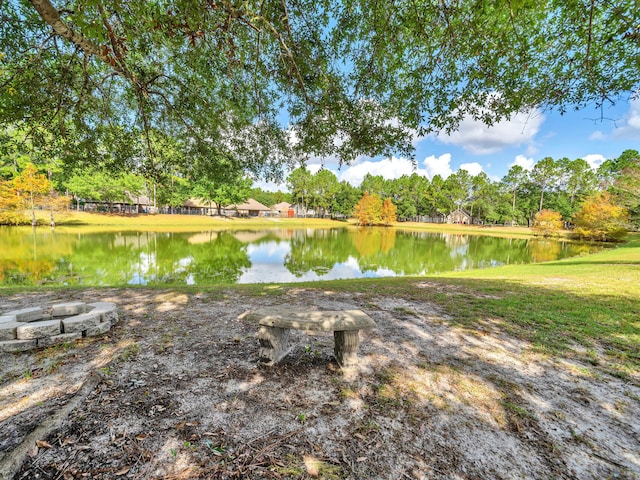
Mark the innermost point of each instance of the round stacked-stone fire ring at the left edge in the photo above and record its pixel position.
(29, 328)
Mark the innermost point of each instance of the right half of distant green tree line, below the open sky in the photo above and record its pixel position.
(560, 185)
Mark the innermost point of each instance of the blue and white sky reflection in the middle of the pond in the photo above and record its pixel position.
(267, 265)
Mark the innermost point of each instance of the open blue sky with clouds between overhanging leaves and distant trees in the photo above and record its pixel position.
(592, 134)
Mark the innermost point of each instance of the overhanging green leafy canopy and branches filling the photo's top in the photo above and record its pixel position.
(214, 77)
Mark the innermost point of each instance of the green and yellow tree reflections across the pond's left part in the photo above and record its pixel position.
(127, 258)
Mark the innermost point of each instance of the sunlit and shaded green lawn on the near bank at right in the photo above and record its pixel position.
(587, 304)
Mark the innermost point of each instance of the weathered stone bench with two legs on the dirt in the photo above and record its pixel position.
(275, 323)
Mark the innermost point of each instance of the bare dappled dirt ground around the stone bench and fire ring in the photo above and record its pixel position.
(174, 391)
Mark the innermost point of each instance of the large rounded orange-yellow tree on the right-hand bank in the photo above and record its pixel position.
(601, 219)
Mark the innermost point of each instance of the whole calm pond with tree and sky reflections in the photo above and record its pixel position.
(78, 256)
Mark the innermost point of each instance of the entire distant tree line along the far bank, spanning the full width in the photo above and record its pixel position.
(560, 185)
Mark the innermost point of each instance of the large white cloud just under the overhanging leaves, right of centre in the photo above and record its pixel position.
(475, 137)
